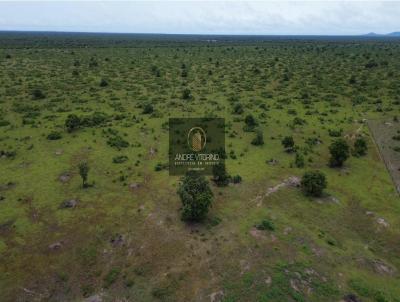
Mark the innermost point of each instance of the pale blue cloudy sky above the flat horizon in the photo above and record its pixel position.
(204, 17)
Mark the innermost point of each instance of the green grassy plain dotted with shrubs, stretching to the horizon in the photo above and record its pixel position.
(124, 240)
